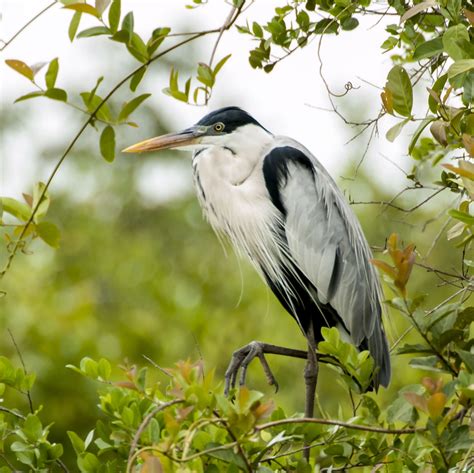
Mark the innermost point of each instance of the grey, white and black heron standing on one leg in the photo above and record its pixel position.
(281, 209)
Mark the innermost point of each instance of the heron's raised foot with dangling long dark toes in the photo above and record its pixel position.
(241, 359)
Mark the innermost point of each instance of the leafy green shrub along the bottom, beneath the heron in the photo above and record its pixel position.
(185, 423)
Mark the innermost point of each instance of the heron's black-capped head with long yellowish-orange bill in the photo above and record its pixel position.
(218, 128)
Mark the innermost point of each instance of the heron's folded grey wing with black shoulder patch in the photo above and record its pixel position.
(327, 244)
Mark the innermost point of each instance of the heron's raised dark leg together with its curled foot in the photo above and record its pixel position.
(242, 357)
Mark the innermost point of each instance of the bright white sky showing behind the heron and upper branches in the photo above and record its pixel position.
(282, 101)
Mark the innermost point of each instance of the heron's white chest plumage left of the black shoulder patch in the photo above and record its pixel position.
(234, 198)
